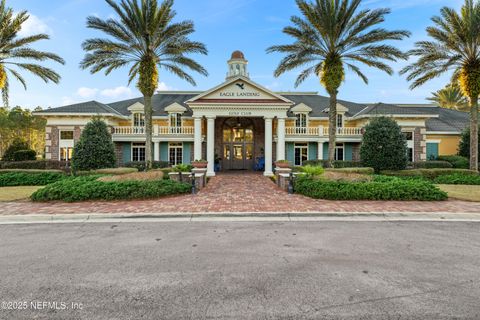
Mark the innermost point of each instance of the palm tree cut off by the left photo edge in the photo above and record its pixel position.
(15, 51)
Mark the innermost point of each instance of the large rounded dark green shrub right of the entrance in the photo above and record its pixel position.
(384, 146)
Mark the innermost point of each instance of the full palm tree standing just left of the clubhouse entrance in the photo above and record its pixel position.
(145, 39)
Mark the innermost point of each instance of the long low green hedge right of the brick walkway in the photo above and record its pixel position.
(393, 189)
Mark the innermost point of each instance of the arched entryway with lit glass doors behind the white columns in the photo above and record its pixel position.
(238, 144)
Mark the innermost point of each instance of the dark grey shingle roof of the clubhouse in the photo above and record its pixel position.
(447, 121)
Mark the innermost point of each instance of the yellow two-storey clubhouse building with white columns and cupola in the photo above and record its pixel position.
(239, 123)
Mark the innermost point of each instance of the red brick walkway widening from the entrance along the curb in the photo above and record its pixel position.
(237, 192)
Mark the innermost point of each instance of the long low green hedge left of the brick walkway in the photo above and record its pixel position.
(89, 188)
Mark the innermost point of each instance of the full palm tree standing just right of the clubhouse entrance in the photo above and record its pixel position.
(333, 36)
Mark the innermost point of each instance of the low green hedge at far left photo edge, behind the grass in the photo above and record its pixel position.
(13, 179)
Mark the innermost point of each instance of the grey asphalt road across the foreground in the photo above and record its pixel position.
(238, 270)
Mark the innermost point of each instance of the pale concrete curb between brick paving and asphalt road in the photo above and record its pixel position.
(239, 216)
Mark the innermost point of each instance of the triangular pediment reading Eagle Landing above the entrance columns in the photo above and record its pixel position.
(239, 89)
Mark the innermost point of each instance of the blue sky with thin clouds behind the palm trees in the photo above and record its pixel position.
(224, 26)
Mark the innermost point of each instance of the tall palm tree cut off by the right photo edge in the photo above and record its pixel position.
(454, 47)
